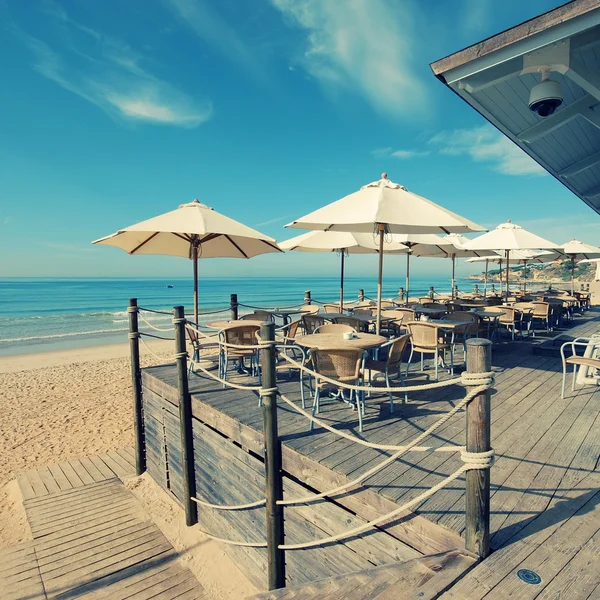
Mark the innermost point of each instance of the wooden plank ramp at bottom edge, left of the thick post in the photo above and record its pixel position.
(424, 578)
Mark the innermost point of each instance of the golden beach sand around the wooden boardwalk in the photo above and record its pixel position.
(62, 405)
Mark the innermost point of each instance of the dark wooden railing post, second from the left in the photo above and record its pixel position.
(185, 420)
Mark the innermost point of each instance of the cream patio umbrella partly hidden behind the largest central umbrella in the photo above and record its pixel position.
(338, 241)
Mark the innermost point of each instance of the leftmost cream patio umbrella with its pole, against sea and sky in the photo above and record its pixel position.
(192, 231)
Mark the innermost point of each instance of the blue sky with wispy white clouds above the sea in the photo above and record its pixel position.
(113, 112)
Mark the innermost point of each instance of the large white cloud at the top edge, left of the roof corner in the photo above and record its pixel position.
(361, 45)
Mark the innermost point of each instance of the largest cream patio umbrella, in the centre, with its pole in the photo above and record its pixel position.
(385, 207)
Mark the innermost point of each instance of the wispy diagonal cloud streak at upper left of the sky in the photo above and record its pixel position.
(109, 74)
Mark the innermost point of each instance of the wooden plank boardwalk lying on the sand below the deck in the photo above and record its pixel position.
(91, 539)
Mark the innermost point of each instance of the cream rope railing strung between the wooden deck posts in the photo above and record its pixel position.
(478, 382)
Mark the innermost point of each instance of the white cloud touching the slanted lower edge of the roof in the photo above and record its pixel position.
(485, 144)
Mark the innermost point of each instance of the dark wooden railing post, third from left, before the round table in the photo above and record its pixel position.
(273, 469)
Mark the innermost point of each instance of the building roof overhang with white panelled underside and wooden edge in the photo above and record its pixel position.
(496, 76)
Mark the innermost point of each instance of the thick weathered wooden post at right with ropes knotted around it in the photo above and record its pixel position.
(477, 533)
